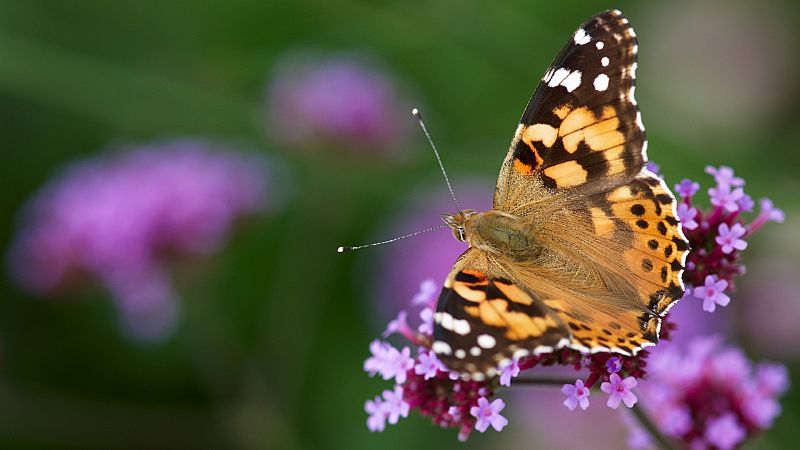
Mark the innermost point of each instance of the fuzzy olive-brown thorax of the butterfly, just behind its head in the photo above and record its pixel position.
(501, 233)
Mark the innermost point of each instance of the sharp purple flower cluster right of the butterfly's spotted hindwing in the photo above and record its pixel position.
(718, 235)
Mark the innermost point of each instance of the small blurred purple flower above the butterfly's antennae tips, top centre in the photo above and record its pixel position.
(341, 100)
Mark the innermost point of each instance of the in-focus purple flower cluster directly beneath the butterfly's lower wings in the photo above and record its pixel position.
(429, 388)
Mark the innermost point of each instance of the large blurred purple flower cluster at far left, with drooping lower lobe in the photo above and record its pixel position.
(116, 217)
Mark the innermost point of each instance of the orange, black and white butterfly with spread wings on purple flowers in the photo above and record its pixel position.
(582, 247)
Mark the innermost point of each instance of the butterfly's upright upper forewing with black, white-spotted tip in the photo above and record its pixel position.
(581, 128)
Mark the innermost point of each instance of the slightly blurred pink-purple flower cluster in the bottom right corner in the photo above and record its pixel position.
(711, 396)
